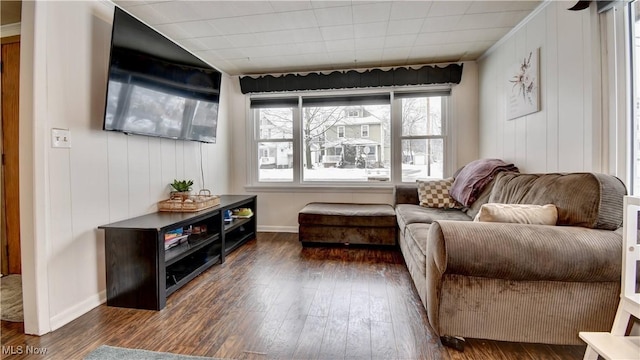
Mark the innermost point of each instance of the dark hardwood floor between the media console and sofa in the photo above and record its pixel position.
(274, 299)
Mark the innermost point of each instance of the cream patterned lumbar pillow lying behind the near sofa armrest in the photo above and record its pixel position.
(518, 213)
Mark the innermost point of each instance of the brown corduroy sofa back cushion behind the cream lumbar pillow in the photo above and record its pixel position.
(588, 200)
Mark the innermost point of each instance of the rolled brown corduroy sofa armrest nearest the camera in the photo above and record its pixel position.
(526, 252)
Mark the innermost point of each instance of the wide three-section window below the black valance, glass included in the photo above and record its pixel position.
(350, 138)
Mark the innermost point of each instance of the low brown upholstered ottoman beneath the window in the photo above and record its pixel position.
(338, 223)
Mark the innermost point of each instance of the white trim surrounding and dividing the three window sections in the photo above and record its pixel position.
(297, 185)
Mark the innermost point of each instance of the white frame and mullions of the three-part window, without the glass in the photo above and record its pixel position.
(395, 130)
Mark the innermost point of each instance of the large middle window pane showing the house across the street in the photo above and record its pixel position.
(334, 148)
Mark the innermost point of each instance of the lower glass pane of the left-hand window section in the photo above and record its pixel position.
(275, 161)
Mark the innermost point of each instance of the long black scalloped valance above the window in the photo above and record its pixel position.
(430, 74)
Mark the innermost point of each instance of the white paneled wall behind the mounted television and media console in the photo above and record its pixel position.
(104, 176)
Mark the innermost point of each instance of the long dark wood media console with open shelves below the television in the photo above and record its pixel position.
(141, 273)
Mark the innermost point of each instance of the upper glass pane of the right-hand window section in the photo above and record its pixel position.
(422, 116)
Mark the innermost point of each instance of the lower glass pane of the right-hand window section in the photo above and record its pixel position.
(421, 159)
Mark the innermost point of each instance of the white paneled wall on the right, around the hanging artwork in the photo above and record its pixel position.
(560, 137)
